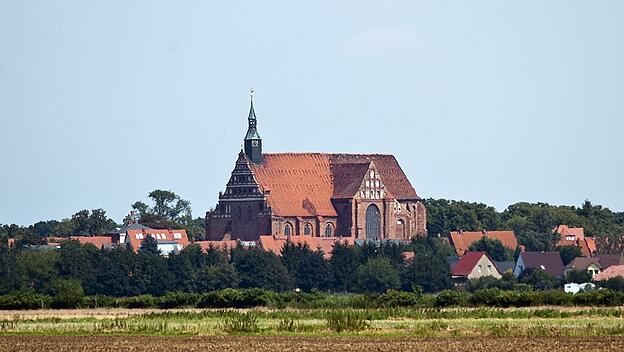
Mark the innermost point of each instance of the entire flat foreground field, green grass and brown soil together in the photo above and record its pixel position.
(401, 329)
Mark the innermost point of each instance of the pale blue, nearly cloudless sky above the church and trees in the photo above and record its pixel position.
(497, 102)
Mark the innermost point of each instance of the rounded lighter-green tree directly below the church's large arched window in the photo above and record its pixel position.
(377, 275)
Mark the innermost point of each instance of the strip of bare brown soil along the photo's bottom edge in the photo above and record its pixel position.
(280, 343)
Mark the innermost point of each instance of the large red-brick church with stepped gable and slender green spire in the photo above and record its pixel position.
(364, 196)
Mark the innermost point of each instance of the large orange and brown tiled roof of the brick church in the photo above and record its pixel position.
(303, 184)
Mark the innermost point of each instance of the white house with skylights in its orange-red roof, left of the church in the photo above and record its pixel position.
(169, 241)
